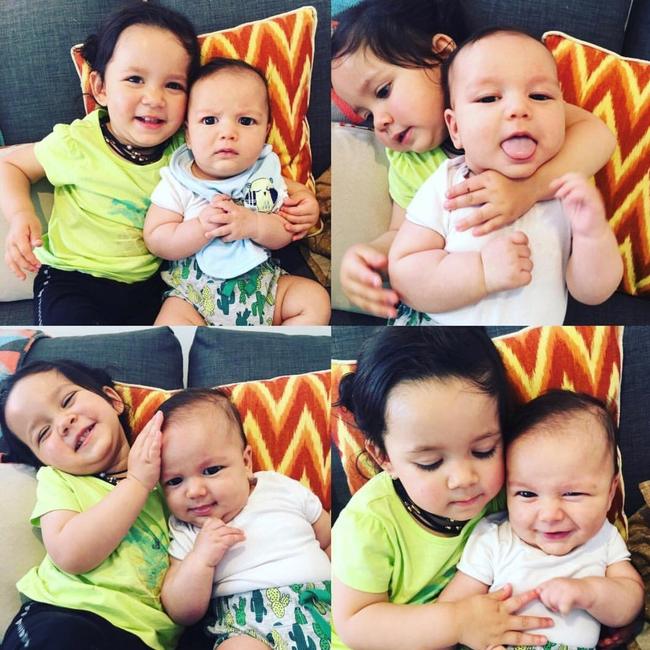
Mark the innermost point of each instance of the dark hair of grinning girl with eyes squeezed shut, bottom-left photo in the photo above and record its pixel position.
(92, 379)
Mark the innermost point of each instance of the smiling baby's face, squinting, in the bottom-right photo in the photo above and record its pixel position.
(560, 484)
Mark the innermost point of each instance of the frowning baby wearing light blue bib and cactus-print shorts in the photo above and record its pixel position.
(216, 212)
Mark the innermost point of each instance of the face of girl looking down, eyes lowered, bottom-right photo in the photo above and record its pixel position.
(443, 442)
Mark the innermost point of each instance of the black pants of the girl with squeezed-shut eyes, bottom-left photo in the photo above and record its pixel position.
(38, 625)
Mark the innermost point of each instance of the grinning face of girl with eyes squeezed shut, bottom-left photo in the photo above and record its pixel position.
(68, 427)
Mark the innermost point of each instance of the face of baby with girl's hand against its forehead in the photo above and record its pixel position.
(206, 470)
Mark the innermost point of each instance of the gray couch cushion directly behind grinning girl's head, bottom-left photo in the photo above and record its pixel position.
(151, 356)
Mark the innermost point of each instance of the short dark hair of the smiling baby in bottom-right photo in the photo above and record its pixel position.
(555, 407)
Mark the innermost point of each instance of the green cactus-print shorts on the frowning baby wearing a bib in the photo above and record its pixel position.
(248, 299)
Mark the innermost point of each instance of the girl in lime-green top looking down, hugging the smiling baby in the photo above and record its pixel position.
(431, 405)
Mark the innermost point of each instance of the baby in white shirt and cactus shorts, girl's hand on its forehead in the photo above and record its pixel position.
(255, 542)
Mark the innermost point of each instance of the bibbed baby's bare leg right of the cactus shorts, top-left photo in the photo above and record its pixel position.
(300, 301)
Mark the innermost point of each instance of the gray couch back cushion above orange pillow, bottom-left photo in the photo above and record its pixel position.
(221, 356)
